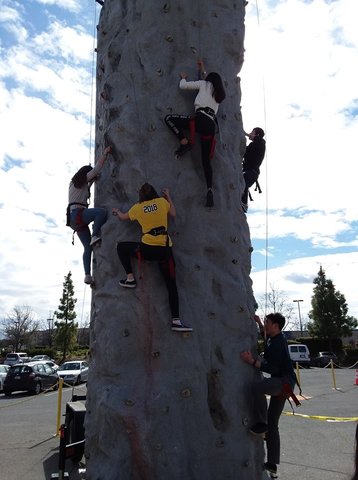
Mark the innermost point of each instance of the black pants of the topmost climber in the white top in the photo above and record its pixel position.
(203, 125)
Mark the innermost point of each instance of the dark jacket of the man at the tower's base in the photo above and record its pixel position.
(277, 361)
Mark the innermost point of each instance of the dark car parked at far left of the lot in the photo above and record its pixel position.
(31, 376)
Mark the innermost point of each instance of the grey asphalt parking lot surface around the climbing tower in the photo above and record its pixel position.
(312, 448)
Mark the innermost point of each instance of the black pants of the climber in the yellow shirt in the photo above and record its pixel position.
(163, 256)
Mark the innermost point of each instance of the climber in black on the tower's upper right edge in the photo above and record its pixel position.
(254, 155)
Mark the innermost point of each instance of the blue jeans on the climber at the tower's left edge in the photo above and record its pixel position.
(96, 215)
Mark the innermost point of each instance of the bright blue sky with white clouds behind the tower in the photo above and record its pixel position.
(299, 82)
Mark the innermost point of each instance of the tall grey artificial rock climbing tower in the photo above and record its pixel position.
(165, 405)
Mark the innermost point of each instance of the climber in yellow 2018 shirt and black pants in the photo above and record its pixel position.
(152, 214)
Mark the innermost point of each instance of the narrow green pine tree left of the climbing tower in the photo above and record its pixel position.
(66, 332)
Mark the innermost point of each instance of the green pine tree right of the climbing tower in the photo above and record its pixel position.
(329, 312)
